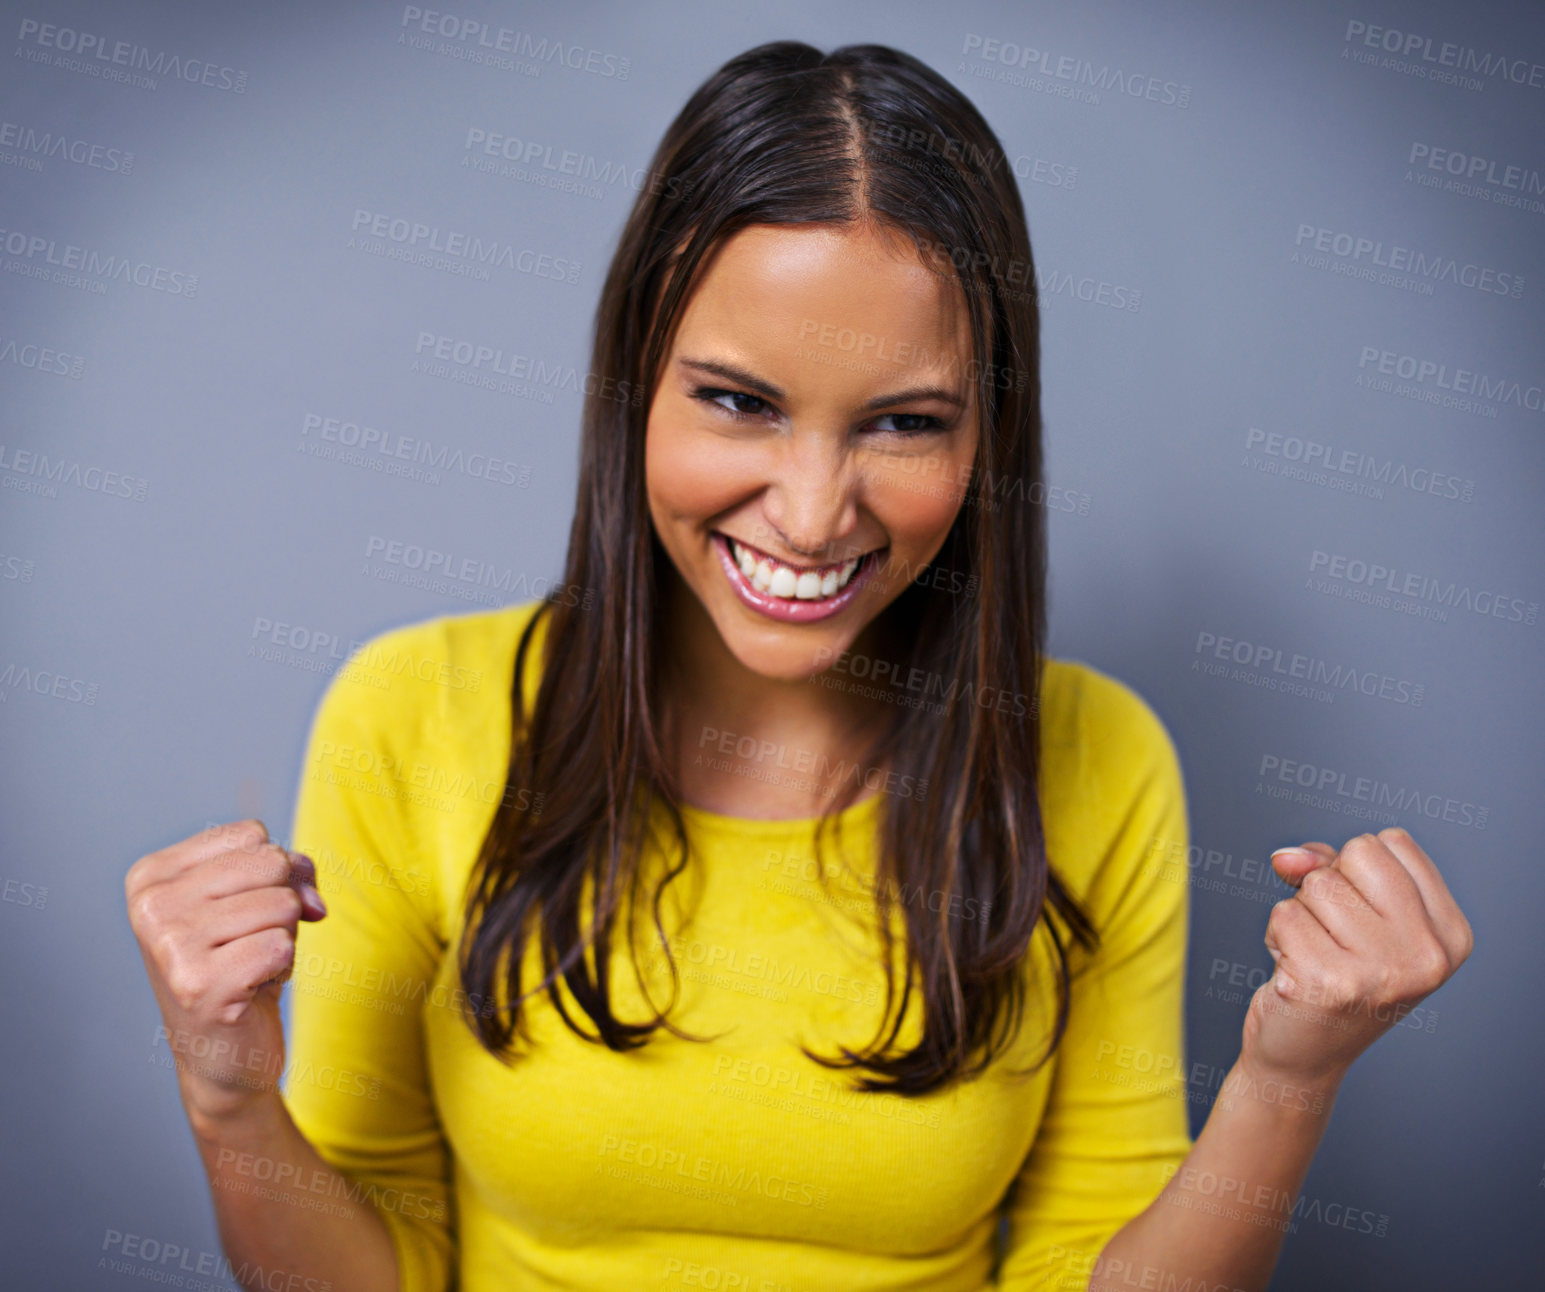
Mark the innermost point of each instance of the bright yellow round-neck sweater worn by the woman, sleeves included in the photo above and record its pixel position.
(733, 1163)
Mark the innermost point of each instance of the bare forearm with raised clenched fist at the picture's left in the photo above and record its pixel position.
(217, 917)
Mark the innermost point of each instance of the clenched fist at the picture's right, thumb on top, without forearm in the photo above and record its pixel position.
(1371, 933)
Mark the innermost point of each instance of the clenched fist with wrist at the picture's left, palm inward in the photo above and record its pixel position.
(216, 917)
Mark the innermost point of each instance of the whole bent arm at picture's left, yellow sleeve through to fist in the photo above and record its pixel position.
(325, 1157)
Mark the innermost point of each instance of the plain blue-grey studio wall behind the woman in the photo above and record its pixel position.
(1241, 208)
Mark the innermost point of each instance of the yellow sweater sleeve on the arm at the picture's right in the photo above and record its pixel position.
(1116, 1113)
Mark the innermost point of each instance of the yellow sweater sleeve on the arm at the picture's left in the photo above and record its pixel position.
(356, 1078)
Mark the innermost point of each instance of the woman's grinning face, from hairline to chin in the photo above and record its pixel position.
(815, 410)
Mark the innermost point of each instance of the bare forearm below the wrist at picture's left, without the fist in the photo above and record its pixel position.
(284, 1211)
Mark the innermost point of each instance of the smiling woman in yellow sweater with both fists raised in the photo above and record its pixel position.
(849, 956)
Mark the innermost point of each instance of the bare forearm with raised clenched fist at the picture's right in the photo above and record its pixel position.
(1371, 933)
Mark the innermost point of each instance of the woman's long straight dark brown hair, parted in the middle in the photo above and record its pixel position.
(787, 135)
